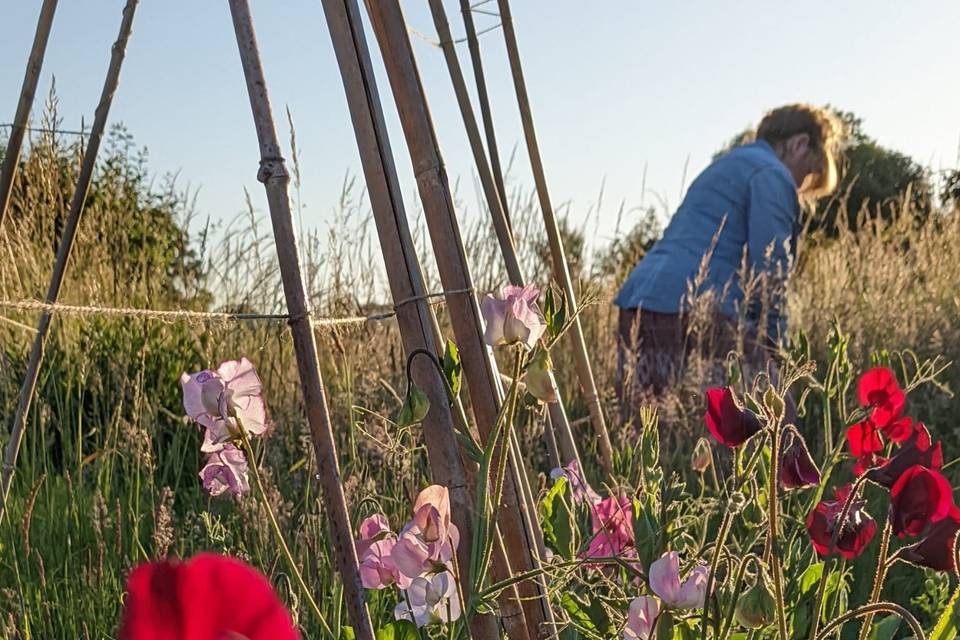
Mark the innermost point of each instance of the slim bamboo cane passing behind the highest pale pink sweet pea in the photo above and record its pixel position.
(557, 417)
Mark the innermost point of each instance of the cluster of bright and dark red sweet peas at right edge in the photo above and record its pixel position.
(921, 498)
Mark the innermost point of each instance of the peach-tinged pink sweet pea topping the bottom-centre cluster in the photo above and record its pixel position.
(428, 542)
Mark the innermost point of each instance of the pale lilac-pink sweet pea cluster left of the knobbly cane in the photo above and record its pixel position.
(226, 403)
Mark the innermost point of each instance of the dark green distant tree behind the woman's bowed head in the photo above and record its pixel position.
(873, 179)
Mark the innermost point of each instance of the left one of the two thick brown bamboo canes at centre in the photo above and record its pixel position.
(416, 320)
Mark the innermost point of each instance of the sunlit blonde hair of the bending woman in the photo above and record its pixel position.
(824, 131)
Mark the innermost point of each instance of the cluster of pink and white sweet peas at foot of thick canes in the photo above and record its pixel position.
(418, 559)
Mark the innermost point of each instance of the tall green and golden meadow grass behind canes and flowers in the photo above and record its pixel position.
(107, 476)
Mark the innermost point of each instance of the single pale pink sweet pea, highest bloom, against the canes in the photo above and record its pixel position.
(514, 317)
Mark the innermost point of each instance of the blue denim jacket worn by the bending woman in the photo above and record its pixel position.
(753, 195)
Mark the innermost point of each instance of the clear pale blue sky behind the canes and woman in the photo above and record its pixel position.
(614, 85)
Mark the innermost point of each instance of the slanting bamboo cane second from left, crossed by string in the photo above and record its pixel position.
(29, 386)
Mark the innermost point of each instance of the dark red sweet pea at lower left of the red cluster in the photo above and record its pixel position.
(855, 533)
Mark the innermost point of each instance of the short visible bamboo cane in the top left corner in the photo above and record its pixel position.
(11, 156)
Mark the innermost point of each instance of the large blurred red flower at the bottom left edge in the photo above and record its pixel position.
(210, 597)
